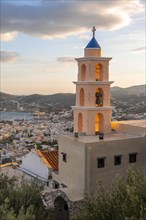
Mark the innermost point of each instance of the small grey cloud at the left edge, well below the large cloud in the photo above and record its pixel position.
(8, 56)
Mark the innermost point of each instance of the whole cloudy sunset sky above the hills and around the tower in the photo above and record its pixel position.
(41, 38)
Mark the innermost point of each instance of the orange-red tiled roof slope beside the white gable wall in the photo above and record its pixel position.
(49, 158)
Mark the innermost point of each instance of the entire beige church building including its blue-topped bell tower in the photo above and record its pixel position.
(99, 148)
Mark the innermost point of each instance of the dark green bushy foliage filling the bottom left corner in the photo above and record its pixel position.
(22, 202)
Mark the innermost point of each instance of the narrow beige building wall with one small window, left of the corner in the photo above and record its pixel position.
(72, 172)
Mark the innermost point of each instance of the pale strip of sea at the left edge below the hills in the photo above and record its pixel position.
(12, 116)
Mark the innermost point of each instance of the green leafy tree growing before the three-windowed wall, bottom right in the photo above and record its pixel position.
(124, 200)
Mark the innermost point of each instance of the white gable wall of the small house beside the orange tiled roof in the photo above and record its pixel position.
(32, 163)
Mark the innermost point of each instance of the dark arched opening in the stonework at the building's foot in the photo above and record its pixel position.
(61, 209)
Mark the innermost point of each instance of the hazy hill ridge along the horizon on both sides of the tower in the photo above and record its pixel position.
(68, 99)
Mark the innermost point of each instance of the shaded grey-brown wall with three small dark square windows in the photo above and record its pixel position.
(109, 149)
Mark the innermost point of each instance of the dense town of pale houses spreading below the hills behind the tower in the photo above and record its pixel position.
(19, 137)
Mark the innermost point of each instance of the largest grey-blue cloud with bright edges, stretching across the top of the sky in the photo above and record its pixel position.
(49, 19)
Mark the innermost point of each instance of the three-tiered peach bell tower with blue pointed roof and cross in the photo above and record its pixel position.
(92, 113)
